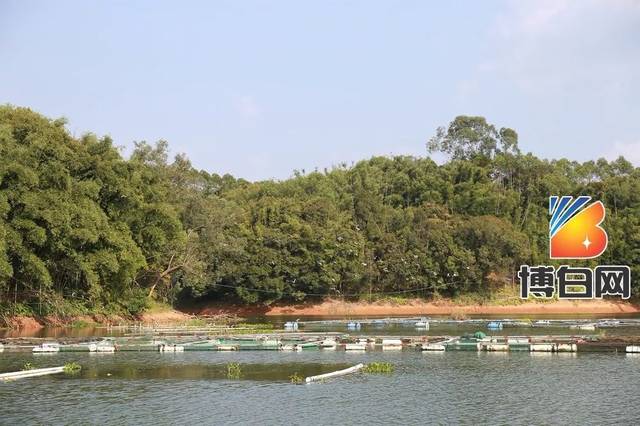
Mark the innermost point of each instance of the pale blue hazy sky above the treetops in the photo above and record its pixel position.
(259, 89)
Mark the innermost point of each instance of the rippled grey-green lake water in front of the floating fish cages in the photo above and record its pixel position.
(430, 388)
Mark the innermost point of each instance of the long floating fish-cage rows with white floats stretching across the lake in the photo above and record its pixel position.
(299, 341)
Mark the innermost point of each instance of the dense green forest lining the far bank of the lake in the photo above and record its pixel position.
(84, 229)
